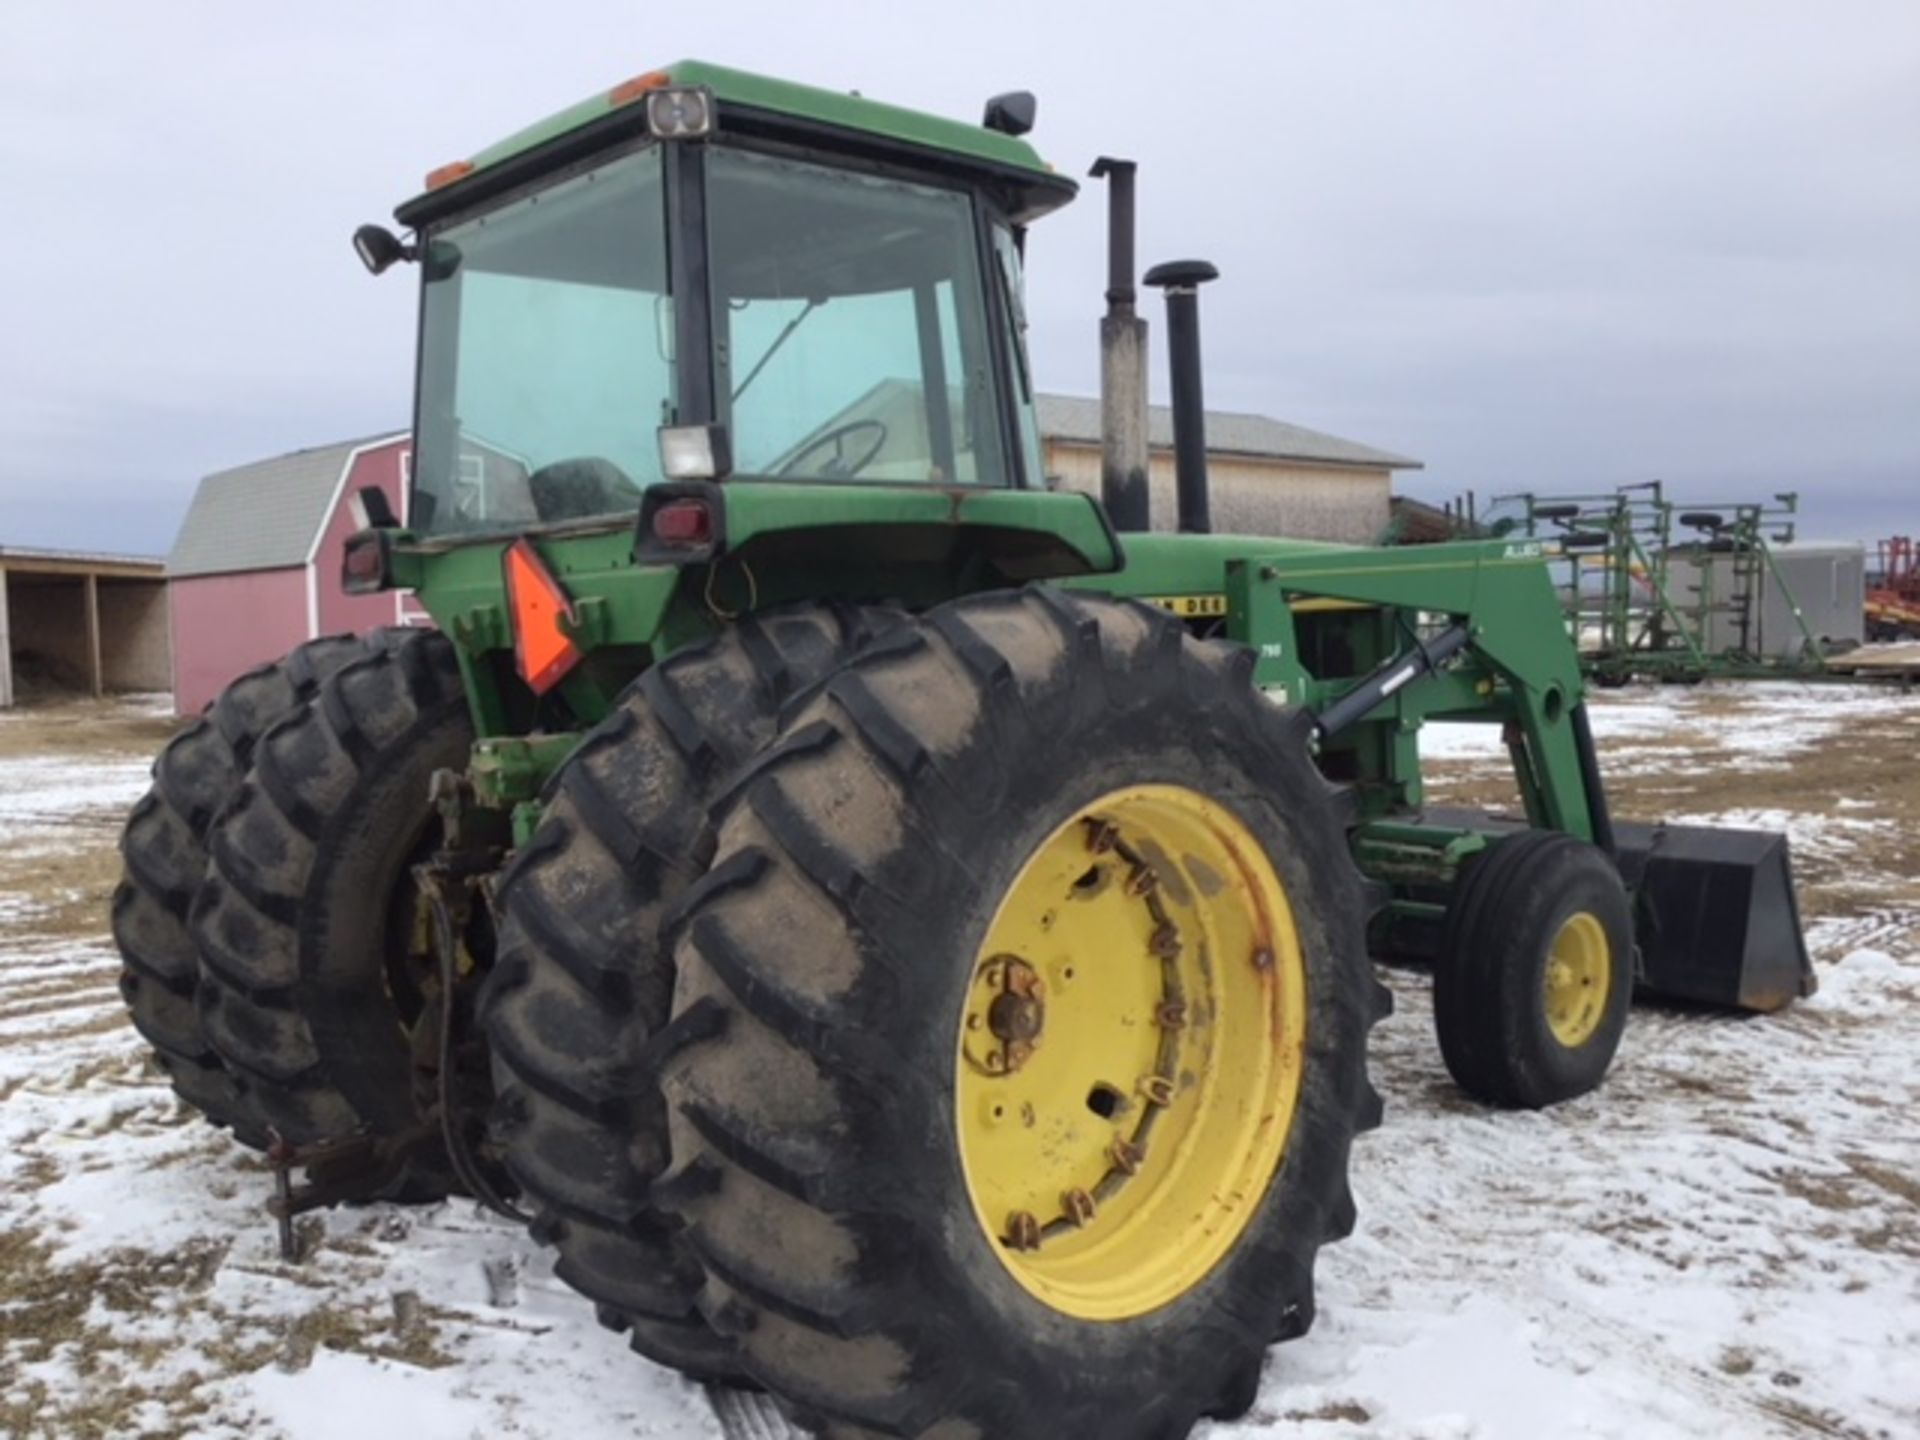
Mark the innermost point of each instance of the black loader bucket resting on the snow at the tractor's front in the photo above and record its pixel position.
(1716, 915)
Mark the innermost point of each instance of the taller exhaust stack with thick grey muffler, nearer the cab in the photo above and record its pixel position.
(1122, 362)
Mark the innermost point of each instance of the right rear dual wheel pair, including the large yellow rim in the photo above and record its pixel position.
(842, 1216)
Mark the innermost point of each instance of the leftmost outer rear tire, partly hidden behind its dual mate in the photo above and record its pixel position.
(166, 857)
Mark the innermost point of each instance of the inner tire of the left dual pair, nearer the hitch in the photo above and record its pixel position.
(316, 961)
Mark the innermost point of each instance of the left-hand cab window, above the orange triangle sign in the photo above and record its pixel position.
(546, 356)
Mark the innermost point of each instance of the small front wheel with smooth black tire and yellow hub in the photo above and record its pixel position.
(1535, 972)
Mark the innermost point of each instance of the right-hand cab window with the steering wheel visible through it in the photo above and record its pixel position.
(852, 325)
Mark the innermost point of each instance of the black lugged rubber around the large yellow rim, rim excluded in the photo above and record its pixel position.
(819, 1253)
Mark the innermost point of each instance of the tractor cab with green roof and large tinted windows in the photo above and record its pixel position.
(708, 276)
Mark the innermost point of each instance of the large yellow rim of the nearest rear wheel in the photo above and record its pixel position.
(1132, 1053)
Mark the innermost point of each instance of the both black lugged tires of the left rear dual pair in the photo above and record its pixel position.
(266, 921)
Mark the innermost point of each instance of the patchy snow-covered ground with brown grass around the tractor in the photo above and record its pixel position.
(1723, 1241)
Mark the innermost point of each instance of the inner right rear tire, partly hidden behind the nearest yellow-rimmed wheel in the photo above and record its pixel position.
(581, 988)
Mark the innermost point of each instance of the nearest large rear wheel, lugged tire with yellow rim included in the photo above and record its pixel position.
(1020, 1034)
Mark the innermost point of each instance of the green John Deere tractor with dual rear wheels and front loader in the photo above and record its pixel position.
(903, 934)
